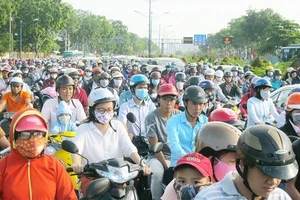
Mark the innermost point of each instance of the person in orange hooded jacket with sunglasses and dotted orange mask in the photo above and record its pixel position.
(28, 173)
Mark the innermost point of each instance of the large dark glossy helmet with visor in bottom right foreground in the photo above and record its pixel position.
(269, 149)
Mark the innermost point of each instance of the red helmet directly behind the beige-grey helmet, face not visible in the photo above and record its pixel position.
(224, 115)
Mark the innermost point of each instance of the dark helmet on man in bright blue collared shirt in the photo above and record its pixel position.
(195, 94)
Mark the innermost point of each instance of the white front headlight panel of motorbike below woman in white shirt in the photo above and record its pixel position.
(118, 175)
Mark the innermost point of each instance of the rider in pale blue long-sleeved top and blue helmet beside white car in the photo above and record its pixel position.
(260, 105)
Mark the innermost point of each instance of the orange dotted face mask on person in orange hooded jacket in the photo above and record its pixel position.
(32, 147)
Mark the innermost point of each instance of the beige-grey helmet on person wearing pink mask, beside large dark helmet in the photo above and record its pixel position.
(217, 136)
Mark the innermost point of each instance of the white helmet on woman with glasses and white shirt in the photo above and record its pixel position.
(100, 95)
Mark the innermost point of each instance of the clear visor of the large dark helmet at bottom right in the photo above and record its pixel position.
(284, 172)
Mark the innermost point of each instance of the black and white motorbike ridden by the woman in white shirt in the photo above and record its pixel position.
(114, 178)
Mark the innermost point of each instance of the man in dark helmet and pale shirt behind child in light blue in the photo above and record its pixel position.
(65, 87)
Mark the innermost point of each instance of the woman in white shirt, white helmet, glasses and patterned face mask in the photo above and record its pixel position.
(101, 137)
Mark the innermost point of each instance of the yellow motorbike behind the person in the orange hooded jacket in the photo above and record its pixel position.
(55, 141)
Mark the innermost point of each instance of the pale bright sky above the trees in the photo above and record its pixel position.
(185, 17)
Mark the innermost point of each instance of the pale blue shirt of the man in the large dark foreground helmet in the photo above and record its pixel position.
(226, 189)
